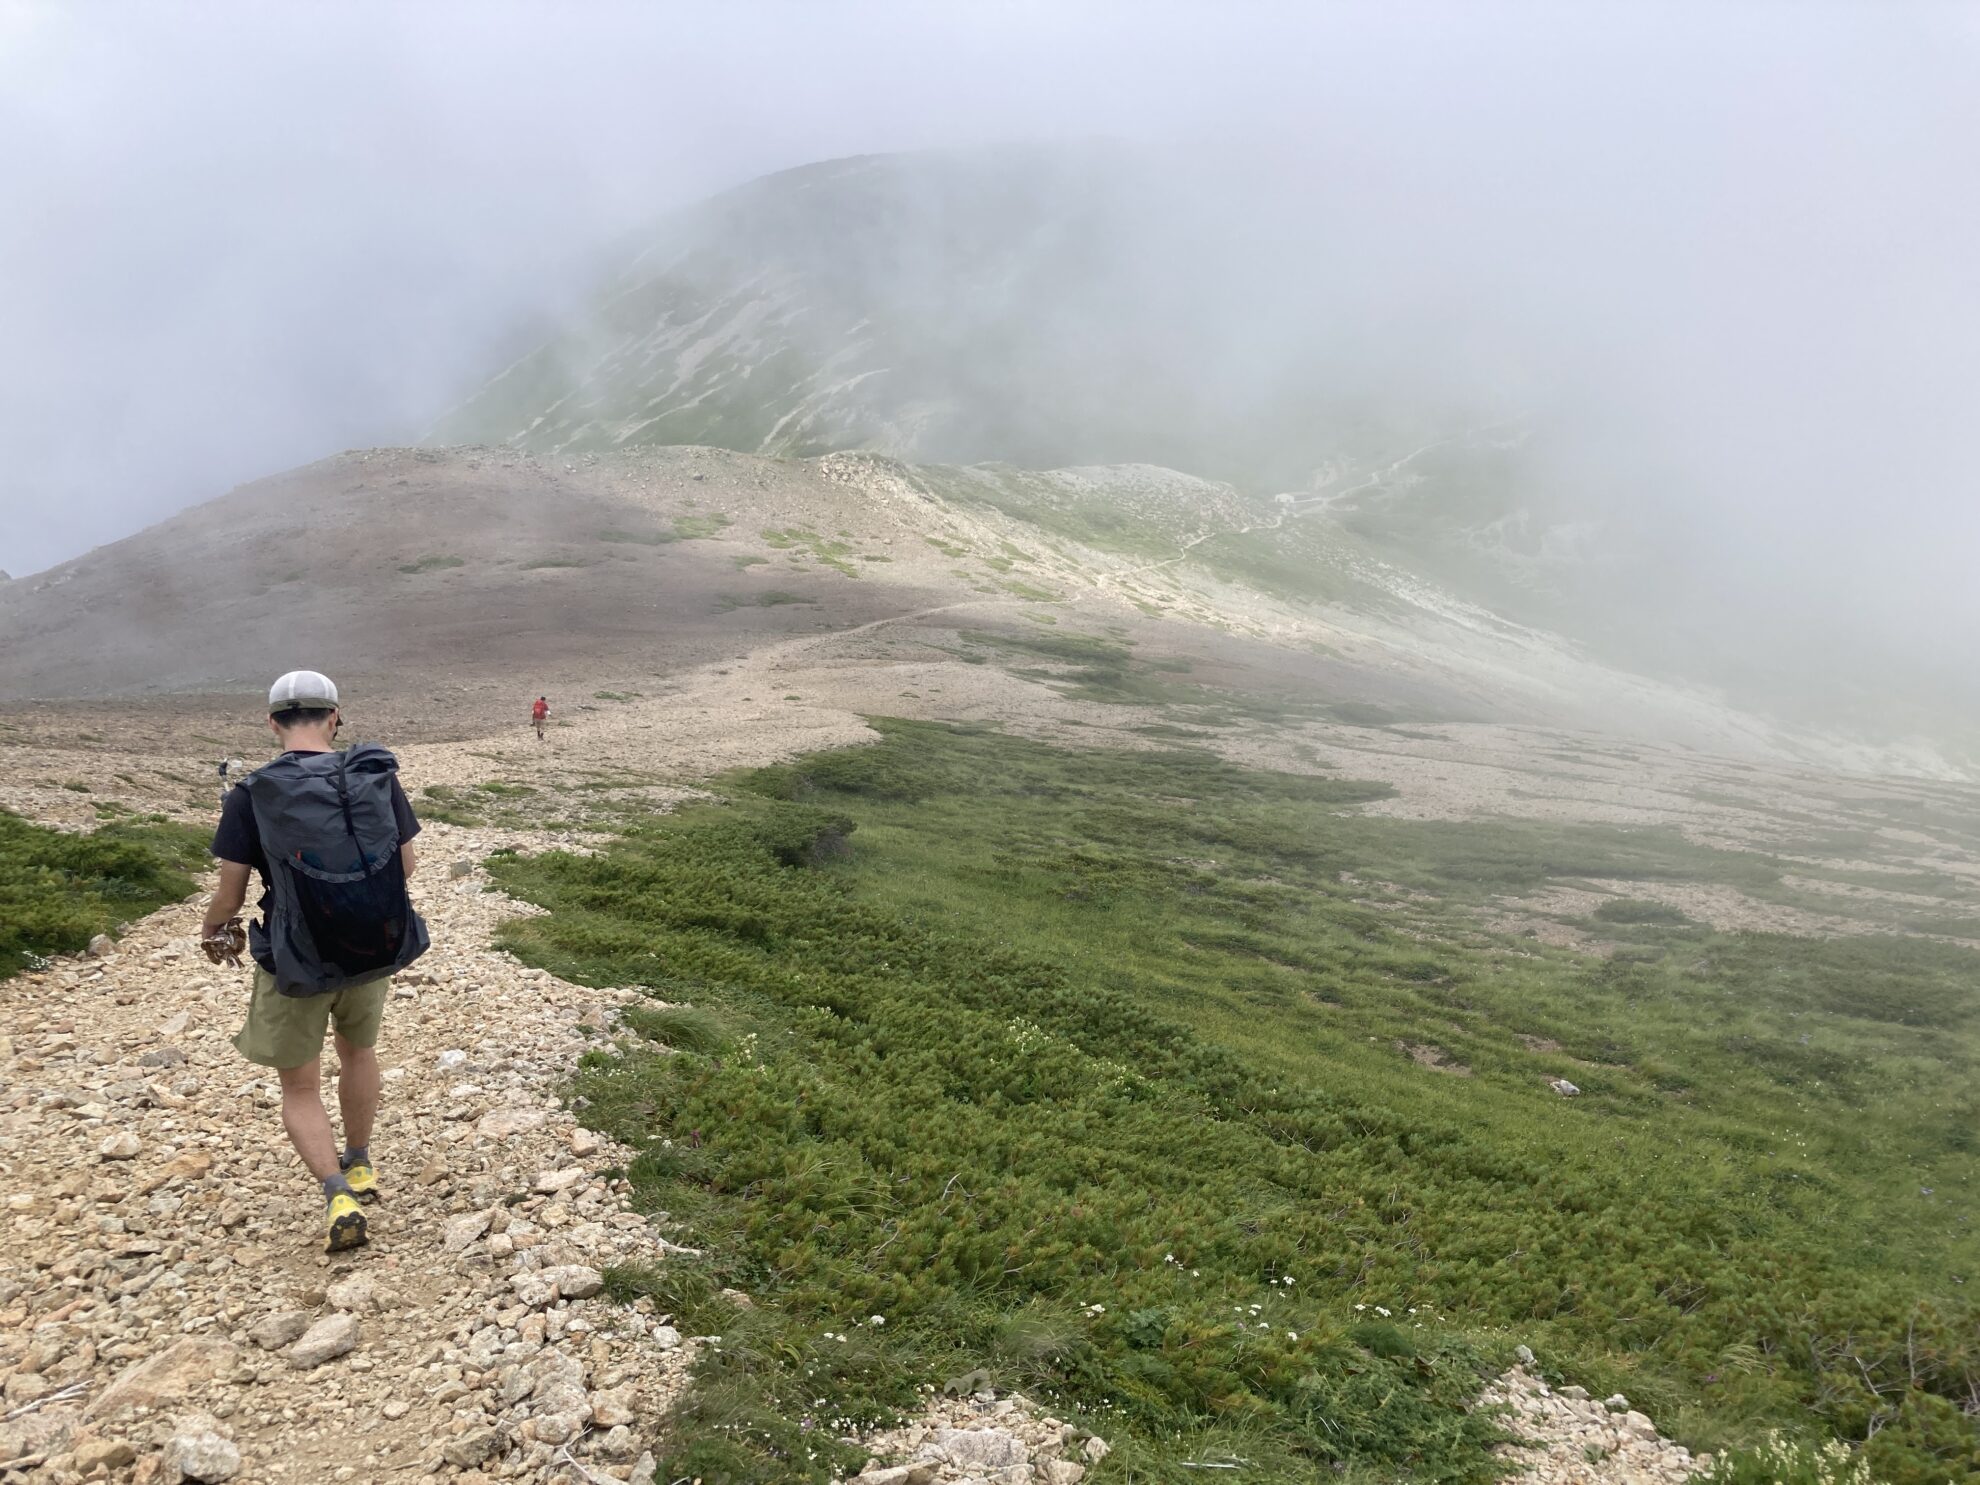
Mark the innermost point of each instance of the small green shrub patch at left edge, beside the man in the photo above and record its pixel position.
(58, 890)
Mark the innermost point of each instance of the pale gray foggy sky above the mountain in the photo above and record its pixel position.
(247, 237)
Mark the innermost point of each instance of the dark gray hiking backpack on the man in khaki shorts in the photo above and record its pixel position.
(340, 912)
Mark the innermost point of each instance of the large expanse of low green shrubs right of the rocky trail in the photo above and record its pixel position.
(1106, 1076)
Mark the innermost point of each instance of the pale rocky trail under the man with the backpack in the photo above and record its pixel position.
(165, 1306)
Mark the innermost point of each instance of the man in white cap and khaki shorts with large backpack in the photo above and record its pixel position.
(332, 839)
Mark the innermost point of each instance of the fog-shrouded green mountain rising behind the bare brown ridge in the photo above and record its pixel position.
(1052, 310)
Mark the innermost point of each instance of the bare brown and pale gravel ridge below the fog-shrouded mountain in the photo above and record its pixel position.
(456, 583)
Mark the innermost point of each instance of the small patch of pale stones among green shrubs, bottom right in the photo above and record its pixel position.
(1569, 1438)
